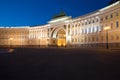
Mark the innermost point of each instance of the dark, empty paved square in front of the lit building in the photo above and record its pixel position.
(60, 64)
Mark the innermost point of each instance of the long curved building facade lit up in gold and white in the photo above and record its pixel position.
(99, 29)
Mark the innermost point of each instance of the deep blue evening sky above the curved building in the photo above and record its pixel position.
(39, 12)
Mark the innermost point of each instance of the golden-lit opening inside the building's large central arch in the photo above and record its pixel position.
(61, 38)
